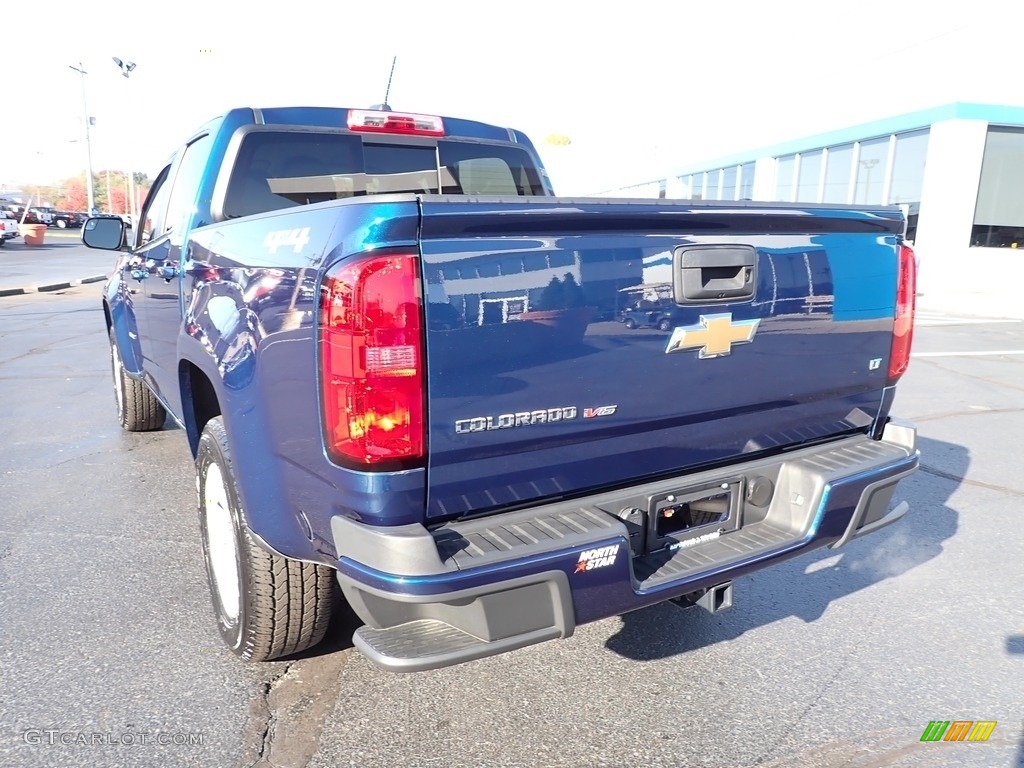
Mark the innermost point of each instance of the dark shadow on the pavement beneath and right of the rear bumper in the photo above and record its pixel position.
(806, 586)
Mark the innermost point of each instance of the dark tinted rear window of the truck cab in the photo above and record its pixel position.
(276, 169)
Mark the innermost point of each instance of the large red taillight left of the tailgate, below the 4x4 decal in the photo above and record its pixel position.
(371, 344)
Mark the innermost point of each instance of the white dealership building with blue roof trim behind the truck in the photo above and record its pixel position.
(957, 170)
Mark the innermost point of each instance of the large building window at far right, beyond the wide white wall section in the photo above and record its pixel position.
(999, 216)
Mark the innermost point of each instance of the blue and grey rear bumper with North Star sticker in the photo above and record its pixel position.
(478, 588)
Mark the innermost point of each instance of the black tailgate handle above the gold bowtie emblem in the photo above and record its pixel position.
(711, 274)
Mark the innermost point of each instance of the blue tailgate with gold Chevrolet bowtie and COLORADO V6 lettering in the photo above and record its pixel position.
(753, 328)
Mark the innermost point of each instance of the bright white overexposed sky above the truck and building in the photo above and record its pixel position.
(641, 89)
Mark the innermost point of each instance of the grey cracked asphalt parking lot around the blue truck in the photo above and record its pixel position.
(836, 659)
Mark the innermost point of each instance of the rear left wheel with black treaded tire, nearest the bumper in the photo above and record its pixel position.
(267, 607)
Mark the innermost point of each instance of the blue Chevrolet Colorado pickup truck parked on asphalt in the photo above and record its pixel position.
(399, 363)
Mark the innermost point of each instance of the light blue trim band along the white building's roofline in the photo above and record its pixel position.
(995, 114)
